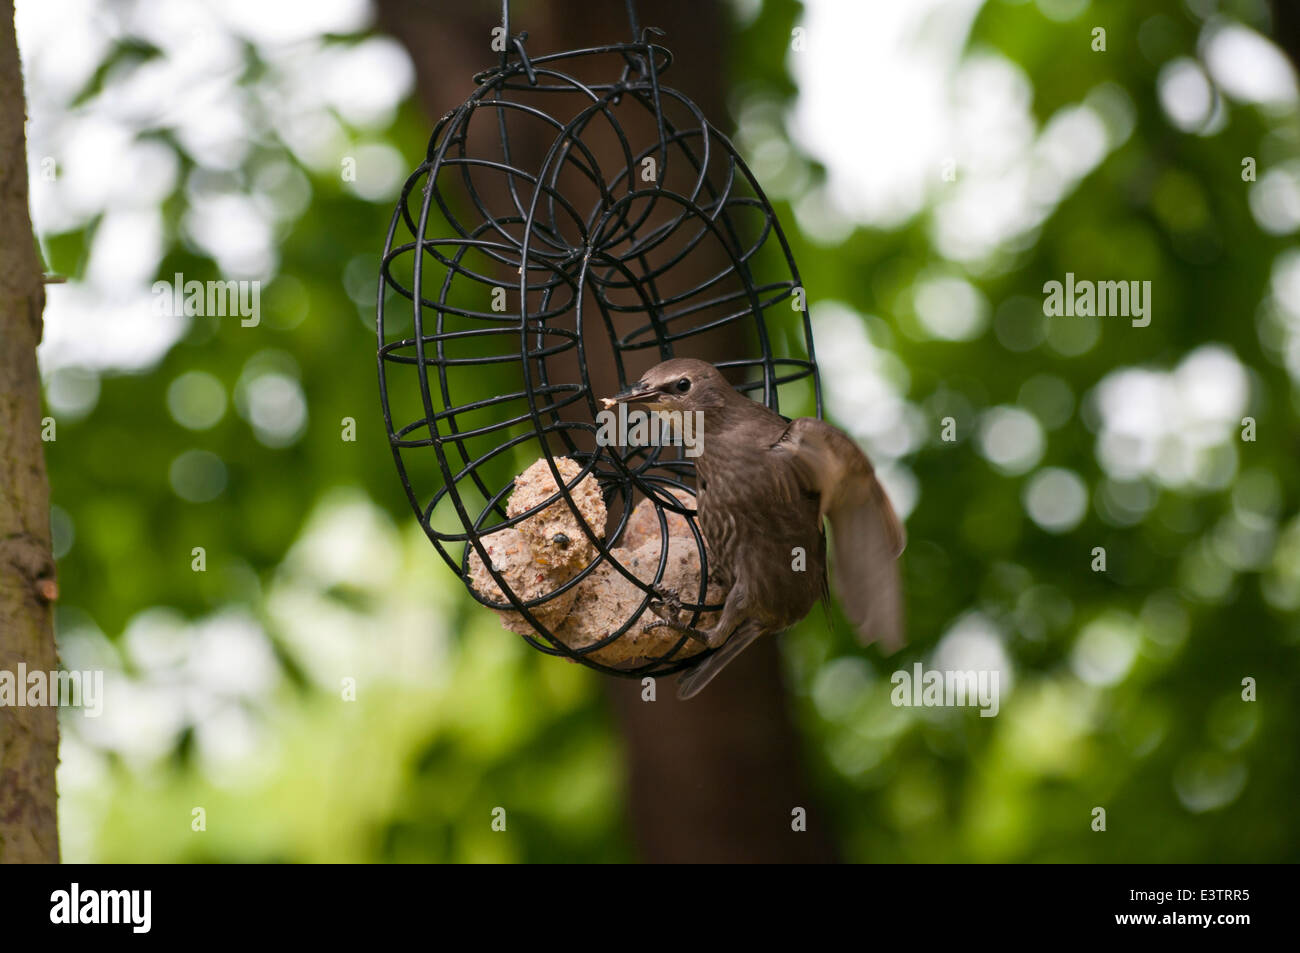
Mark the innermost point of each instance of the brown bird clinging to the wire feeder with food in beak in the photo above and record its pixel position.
(765, 488)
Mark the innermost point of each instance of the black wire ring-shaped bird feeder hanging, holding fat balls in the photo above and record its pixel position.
(573, 220)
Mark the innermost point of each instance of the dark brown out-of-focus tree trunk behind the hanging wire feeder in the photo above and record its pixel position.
(717, 779)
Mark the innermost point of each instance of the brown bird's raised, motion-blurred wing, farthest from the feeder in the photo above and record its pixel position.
(868, 535)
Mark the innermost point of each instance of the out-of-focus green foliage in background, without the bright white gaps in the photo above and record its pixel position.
(311, 547)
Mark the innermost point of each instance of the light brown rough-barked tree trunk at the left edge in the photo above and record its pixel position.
(29, 737)
